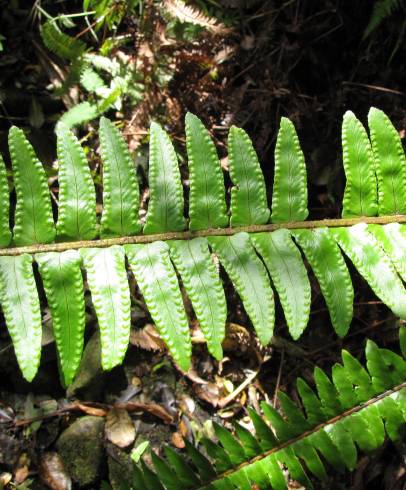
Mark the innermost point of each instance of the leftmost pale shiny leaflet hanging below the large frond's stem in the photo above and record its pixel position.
(21, 308)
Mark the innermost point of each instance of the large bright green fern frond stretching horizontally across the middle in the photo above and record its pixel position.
(255, 254)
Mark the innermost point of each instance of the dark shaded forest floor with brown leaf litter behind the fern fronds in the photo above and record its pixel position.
(306, 60)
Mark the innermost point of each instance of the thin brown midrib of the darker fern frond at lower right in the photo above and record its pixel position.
(283, 445)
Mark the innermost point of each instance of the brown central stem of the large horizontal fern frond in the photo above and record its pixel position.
(187, 235)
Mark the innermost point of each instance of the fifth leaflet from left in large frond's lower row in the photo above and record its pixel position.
(203, 286)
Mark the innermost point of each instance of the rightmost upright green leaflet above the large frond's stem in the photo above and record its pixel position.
(390, 163)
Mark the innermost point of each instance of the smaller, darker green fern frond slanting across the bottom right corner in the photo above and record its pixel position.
(352, 413)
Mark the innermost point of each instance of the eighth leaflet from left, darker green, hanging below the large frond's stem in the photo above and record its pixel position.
(330, 269)
